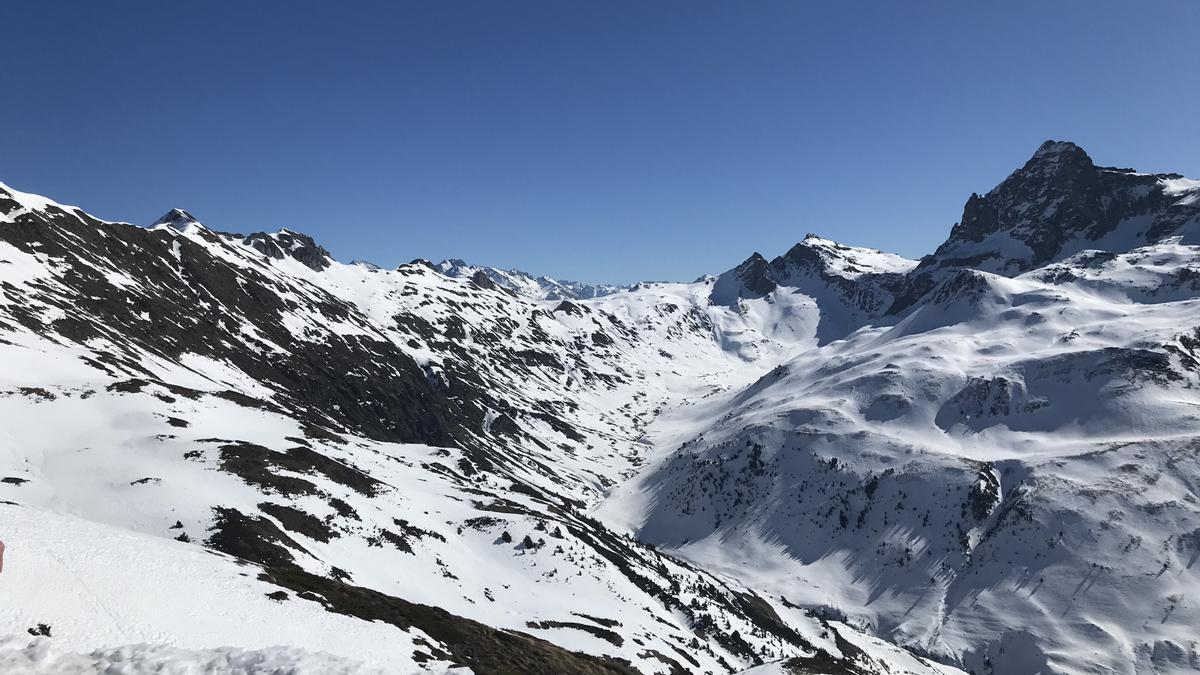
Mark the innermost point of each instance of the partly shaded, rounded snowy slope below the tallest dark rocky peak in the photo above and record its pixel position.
(1001, 475)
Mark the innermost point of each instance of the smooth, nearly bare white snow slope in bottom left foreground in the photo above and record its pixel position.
(99, 588)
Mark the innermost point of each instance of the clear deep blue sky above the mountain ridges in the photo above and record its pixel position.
(596, 141)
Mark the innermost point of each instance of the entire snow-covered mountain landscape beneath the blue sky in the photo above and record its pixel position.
(837, 461)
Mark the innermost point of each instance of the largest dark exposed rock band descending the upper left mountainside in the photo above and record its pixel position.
(394, 401)
